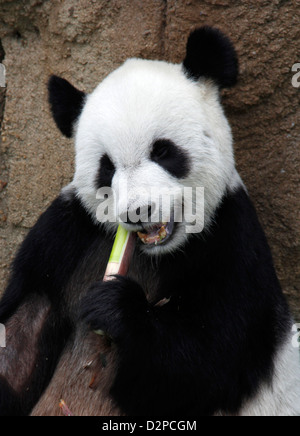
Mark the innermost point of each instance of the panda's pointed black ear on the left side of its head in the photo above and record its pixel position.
(66, 103)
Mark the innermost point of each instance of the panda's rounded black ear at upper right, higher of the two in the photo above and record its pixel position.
(210, 54)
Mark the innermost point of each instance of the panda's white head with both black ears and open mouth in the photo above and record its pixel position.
(153, 127)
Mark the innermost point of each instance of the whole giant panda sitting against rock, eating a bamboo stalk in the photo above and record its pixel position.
(221, 344)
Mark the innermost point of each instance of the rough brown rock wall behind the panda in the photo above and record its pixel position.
(83, 40)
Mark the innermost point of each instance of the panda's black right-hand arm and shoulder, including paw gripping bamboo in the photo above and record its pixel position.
(211, 347)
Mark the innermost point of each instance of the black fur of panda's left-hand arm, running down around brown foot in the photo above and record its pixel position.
(52, 251)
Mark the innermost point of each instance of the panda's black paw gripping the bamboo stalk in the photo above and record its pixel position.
(116, 307)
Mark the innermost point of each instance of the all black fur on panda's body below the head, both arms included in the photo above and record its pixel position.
(207, 350)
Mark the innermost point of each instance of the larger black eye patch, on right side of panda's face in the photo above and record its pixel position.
(171, 158)
